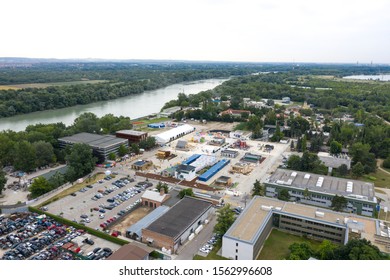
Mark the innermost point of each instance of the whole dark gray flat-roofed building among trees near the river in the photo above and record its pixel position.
(102, 145)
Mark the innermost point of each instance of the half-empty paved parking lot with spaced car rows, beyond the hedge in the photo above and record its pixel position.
(100, 204)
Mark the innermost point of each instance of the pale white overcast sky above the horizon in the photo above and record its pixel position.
(218, 30)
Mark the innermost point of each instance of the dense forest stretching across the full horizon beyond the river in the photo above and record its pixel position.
(123, 79)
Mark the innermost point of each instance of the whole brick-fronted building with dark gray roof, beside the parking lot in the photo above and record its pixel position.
(175, 227)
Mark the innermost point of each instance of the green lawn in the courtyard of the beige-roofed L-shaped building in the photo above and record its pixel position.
(276, 246)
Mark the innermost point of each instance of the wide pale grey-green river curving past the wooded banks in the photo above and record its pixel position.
(133, 106)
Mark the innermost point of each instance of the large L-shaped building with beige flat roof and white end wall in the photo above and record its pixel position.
(246, 236)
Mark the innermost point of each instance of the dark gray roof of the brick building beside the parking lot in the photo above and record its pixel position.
(182, 215)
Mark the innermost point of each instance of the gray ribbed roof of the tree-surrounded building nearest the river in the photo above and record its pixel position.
(94, 140)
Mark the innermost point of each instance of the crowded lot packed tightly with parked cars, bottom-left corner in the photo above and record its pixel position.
(37, 237)
